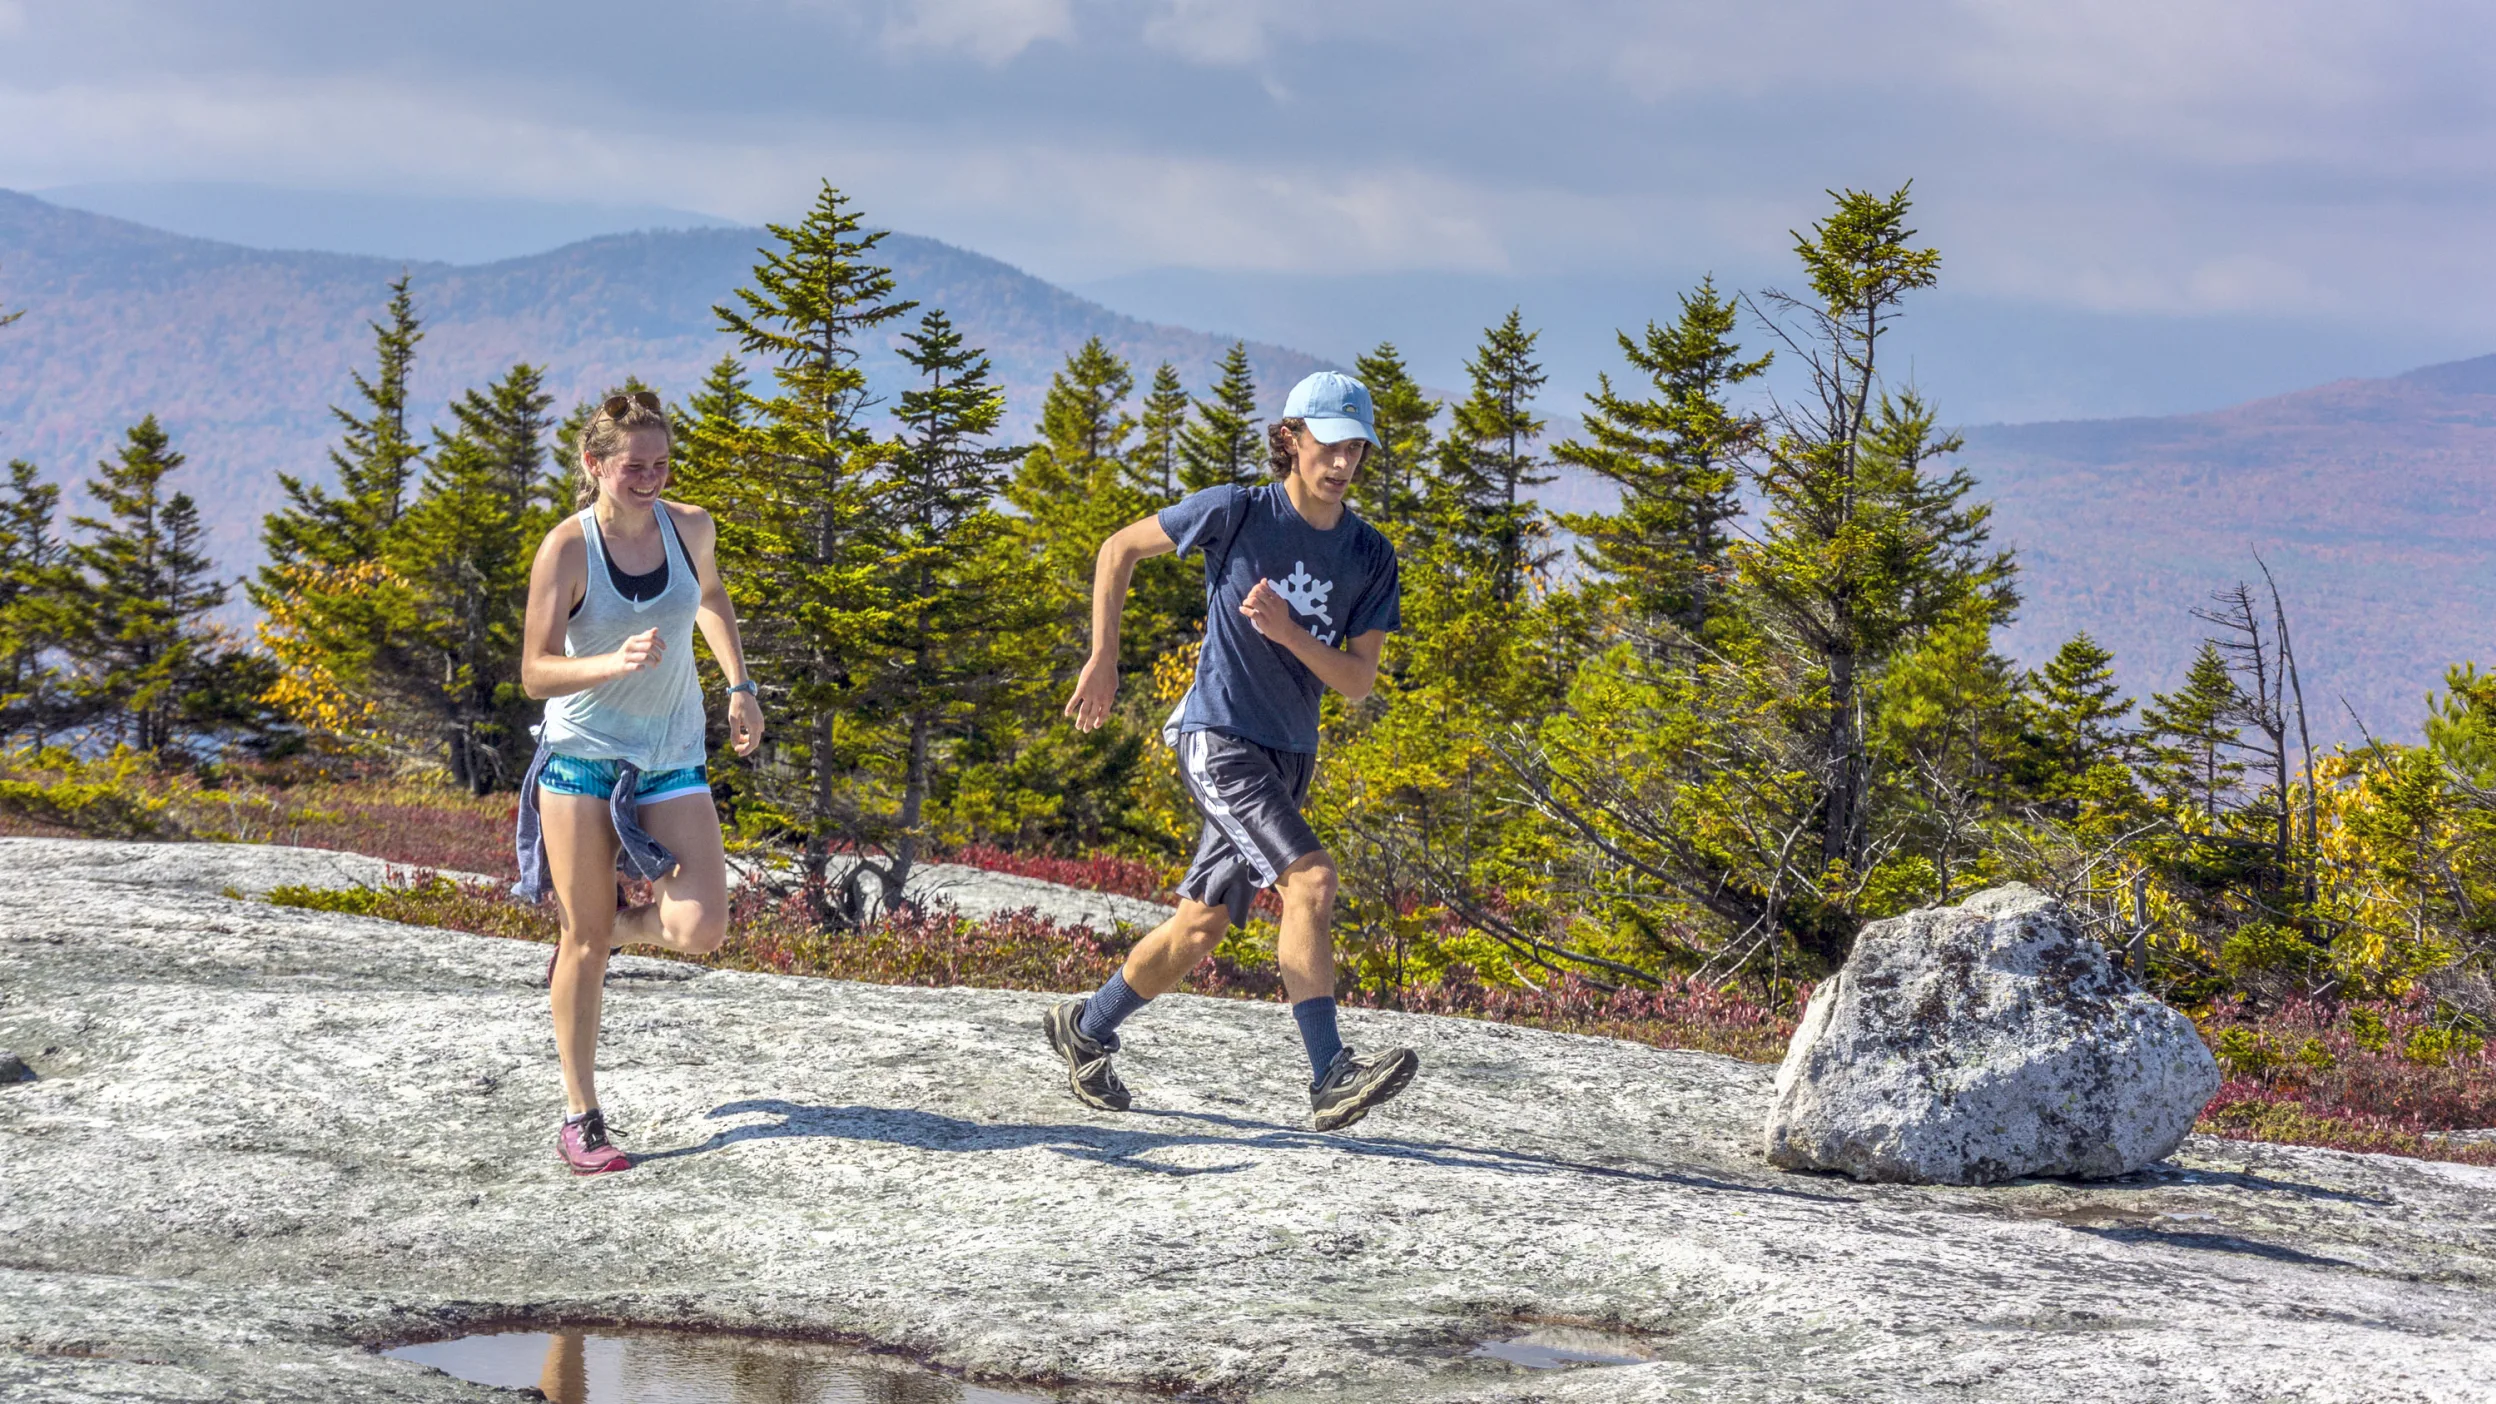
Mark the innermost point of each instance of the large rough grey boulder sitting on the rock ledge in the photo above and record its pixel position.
(1981, 1043)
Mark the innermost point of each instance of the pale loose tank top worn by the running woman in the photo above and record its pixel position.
(650, 718)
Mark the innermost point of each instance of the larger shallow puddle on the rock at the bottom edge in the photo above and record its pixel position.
(685, 1368)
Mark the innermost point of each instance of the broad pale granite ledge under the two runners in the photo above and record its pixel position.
(263, 1143)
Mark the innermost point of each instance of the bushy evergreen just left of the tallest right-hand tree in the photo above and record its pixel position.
(1674, 461)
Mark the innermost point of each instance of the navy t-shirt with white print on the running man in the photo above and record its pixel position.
(1339, 586)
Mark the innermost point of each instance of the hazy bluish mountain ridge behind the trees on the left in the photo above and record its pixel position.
(241, 351)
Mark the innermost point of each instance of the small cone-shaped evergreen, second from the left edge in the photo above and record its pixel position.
(149, 666)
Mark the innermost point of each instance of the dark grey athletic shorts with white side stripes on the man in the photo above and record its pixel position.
(1252, 803)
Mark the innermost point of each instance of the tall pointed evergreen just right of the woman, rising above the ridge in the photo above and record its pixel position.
(805, 576)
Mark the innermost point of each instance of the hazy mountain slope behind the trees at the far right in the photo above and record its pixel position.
(2370, 498)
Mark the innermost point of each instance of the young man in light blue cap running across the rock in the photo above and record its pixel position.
(1299, 598)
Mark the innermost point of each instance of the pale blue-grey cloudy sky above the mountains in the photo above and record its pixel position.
(2220, 159)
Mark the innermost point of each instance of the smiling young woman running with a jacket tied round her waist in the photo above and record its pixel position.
(620, 781)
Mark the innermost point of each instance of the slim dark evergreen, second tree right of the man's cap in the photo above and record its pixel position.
(1489, 463)
